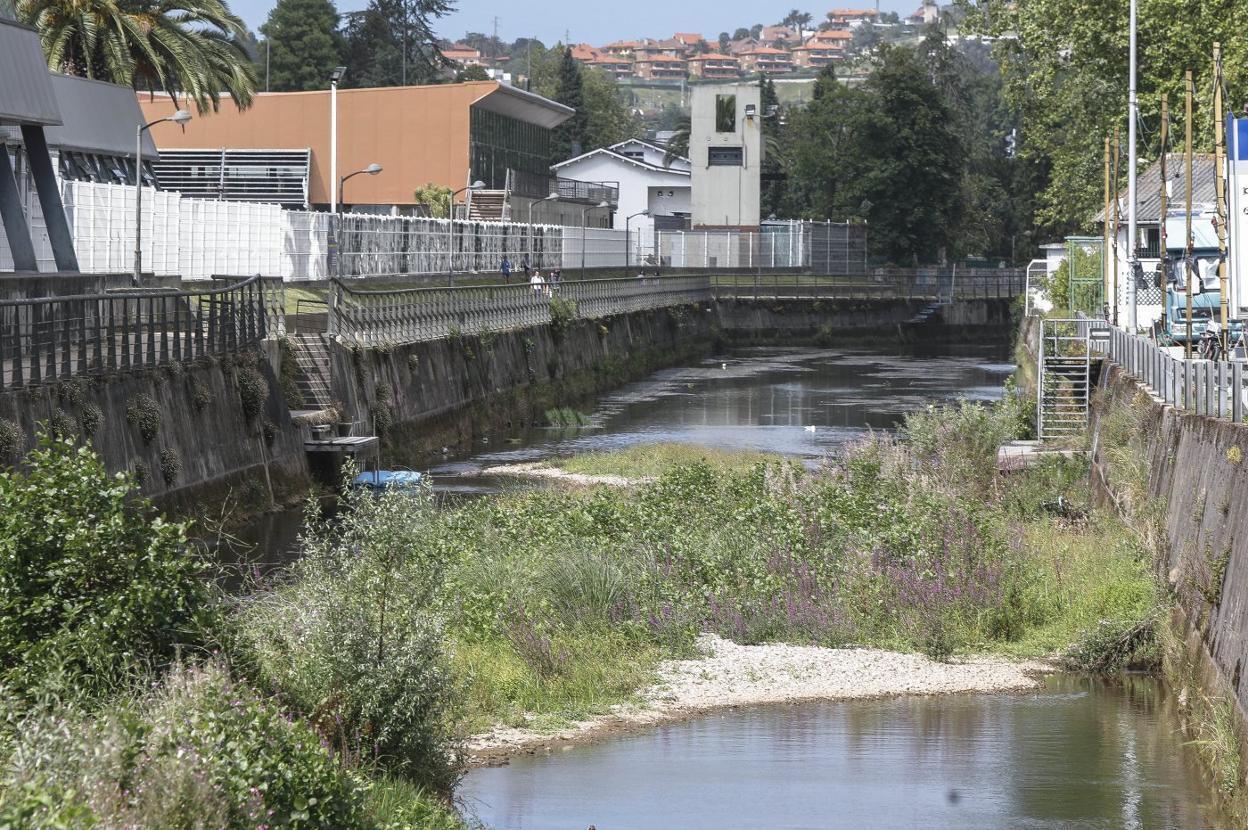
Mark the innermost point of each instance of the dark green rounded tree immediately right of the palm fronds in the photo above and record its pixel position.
(304, 46)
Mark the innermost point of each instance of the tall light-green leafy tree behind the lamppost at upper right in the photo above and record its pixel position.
(1068, 83)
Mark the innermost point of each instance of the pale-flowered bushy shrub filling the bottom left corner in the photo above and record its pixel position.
(199, 752)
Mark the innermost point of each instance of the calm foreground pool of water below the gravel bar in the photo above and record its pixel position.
(1078, 754)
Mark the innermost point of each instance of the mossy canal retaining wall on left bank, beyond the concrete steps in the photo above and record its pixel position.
(455, 393)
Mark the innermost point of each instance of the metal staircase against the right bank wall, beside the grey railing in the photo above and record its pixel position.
(1065, 384)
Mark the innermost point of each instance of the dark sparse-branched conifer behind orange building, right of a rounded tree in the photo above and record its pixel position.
(391, 43)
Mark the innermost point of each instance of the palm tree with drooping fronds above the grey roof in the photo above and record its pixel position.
(189, 49)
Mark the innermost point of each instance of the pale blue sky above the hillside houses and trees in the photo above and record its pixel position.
(601, 22)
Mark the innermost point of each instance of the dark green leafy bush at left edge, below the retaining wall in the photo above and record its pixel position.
(92, 590)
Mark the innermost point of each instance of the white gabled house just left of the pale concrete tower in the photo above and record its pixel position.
(646, 184)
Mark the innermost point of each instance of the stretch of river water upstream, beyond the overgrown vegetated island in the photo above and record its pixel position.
(762, 399)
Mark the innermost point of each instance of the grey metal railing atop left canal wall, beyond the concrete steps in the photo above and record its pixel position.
(389, 318)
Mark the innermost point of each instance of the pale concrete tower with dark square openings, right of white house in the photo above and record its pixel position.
(726, 150)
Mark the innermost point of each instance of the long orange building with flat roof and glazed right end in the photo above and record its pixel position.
(449, 134)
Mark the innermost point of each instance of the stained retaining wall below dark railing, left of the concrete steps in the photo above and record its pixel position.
(202, 446)
